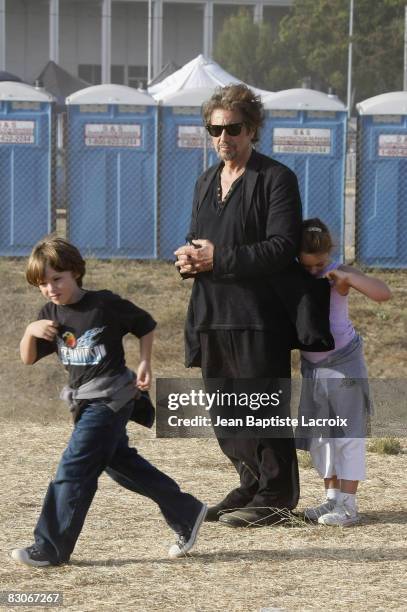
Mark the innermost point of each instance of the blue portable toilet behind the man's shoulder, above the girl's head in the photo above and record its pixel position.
(306, 130)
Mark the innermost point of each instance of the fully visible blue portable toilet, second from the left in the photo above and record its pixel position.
(111, 173)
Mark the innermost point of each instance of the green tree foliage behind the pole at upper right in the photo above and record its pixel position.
(312, 41)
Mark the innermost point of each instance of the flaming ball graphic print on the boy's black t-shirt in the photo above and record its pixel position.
(83, 350)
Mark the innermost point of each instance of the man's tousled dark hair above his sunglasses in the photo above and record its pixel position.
(237, 97)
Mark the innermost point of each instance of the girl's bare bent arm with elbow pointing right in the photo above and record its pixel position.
(346, 277)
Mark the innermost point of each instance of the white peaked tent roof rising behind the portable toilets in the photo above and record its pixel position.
(200, 72)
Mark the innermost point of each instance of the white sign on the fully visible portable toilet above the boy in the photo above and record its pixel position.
(112, 135)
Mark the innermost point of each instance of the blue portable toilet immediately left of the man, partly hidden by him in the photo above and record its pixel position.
(185, 151)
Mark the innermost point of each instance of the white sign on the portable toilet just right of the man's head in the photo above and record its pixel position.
(302, 140)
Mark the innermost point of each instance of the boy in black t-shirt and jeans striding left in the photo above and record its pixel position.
(85, 329)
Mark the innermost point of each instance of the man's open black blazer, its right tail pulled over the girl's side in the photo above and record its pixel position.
(271, 218)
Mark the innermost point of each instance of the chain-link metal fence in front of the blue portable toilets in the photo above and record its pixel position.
(118, 181)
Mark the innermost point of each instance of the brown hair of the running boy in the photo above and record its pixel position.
(57, 253)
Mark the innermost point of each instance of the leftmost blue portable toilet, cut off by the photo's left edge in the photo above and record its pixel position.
(26, 167)
